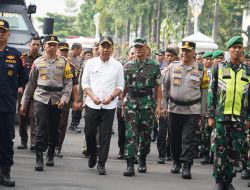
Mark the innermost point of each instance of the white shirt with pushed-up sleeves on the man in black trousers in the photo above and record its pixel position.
(103, 78)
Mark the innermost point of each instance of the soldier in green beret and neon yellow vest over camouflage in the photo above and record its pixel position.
(228, 108)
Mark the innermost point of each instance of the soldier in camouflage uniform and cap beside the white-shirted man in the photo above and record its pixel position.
(142, 76)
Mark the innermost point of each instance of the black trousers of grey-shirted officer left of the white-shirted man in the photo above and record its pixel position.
(47, 123)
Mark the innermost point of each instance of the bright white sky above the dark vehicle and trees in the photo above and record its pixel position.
(44, 6)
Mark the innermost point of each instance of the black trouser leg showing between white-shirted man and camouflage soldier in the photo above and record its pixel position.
(121, 129)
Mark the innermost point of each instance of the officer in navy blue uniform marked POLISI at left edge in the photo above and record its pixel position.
(13, 75)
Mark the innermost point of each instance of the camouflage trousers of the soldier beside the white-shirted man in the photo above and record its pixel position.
(139, 124)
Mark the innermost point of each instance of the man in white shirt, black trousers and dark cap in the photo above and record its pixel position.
(102, 81)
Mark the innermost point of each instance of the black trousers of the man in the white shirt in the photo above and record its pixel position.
(102, 118)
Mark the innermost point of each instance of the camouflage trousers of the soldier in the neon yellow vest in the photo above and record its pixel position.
(227, 140)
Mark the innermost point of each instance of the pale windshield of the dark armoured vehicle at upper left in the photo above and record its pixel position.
(16, 21)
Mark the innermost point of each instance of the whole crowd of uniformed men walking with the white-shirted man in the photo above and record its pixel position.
(197, 105)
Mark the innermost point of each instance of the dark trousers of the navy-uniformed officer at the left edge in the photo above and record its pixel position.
(7, 134)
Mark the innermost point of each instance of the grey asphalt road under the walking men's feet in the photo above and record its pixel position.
(72, 173)
